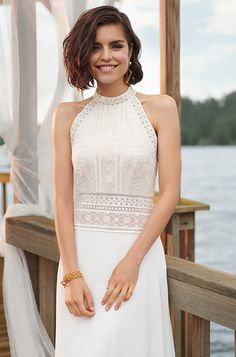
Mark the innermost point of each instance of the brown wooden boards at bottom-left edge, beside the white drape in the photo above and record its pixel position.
(4, 343)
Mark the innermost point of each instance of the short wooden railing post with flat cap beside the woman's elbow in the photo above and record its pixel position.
(178, 240)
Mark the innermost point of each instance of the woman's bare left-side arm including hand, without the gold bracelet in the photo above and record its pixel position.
(78, 297)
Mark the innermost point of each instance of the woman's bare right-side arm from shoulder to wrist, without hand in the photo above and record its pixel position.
(167, 125)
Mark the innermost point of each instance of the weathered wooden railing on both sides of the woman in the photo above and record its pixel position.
(205, 294)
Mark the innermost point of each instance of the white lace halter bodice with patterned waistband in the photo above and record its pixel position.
(114, 157)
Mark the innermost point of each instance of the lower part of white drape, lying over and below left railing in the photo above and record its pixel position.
(27, 335)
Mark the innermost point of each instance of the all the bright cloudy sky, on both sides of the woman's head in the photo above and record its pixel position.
(208, 48)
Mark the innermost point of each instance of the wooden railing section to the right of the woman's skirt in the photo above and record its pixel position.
(205, 293)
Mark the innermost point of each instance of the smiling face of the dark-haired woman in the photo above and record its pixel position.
(109, 60)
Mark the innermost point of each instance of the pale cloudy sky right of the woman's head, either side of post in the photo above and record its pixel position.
(208, 45)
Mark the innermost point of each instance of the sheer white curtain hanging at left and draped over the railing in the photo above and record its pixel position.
(28, 139)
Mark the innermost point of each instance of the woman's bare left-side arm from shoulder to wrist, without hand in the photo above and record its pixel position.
(63, 186)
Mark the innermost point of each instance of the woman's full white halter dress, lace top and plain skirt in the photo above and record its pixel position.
(114, 155)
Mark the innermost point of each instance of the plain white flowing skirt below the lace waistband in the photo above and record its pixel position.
(141, 327)
